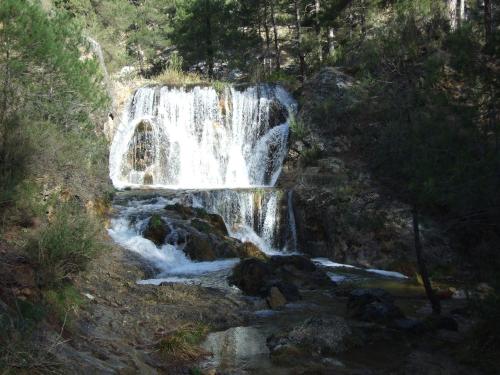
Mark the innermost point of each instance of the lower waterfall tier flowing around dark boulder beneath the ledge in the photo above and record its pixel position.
(261, 216)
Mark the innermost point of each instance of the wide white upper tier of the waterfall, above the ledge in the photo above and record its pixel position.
(185, 138)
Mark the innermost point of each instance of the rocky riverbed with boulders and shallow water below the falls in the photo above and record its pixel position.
(273, 315)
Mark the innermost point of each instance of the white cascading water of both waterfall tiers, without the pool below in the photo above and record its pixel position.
(223, 150)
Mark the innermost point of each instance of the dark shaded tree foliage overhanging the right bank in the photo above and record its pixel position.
(429, 93)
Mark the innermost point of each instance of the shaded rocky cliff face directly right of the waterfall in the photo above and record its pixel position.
(341, 211)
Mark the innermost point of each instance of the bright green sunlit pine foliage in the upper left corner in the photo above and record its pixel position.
(40, 67)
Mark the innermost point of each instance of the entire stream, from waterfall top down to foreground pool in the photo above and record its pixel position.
(222, 151)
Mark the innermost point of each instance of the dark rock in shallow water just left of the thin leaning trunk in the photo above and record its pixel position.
(372, 305)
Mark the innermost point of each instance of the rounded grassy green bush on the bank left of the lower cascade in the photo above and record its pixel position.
(65, 245)
